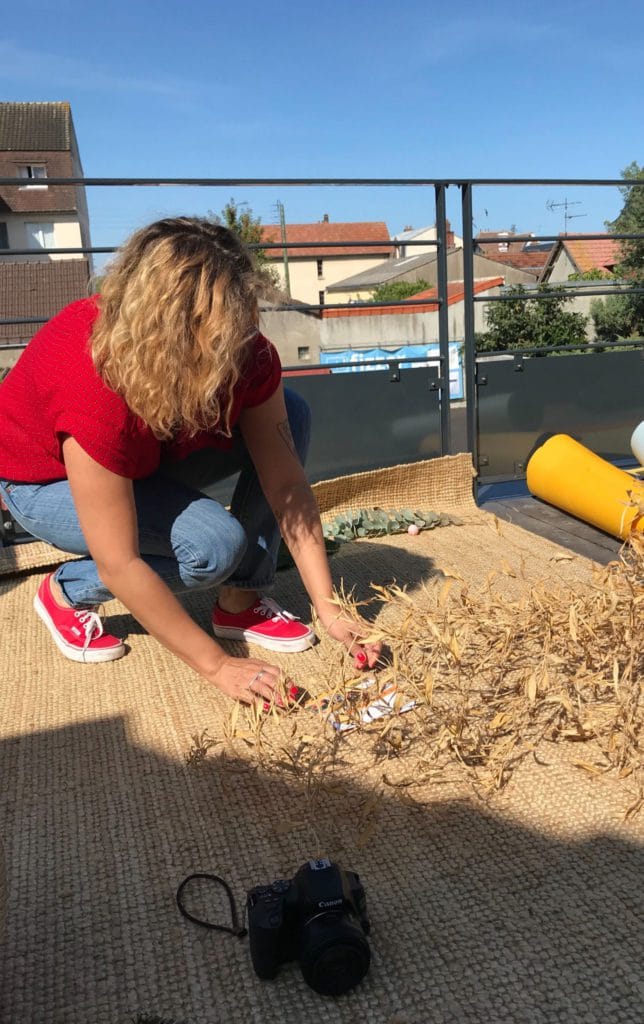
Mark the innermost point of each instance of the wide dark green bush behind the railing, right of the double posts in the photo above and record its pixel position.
(525, 323)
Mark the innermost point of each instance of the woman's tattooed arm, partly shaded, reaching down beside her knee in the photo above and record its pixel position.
(268, 437)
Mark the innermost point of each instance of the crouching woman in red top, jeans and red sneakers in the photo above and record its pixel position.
(120, 409)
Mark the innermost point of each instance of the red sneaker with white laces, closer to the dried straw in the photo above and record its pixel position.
(265, 624)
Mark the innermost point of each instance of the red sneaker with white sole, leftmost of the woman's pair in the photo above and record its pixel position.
(77, 632)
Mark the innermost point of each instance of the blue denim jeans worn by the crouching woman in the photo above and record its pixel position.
(191, 541)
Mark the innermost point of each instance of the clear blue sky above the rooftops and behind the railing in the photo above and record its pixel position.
(339, 90)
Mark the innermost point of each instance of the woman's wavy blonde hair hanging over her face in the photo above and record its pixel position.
(178, 311)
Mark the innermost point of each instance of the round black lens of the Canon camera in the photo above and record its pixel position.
(335, 955)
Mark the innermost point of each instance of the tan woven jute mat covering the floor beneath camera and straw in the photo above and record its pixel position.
(525, 909)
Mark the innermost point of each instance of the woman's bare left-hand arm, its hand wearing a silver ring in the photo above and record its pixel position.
(105, 503)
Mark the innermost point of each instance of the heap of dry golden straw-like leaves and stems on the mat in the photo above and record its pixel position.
(495, 676)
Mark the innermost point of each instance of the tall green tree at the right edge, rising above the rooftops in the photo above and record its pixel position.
(623, 316)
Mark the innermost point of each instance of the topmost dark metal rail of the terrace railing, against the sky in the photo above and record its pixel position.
(297, 183)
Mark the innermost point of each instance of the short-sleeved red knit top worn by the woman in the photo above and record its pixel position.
(55, 391)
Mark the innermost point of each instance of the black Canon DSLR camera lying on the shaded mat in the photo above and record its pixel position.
(320, 919)
